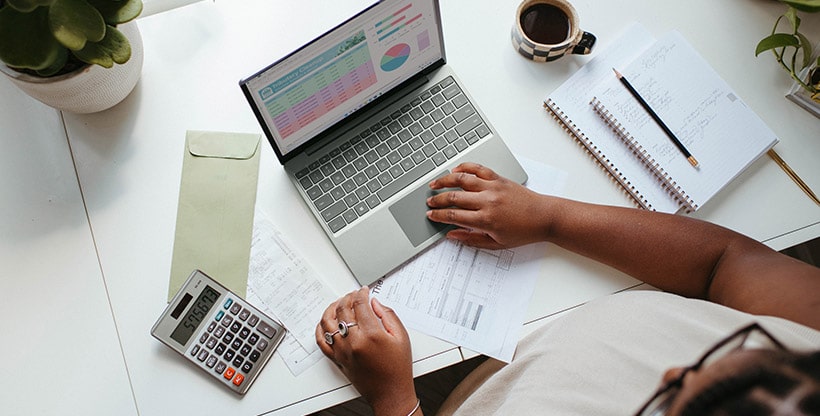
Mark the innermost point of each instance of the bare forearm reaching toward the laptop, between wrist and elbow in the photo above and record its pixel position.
(672, 252)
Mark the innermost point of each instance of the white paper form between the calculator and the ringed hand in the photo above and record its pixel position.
(283, 285)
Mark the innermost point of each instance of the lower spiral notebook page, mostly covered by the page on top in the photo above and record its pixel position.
(570, 104)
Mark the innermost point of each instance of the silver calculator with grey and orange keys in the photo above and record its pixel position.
(219, 332)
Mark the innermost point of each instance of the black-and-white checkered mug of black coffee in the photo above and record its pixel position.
(545, 30)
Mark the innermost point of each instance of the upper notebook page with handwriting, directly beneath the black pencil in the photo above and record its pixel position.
(703, 111)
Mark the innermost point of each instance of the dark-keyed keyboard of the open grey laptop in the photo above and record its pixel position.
(391, 154)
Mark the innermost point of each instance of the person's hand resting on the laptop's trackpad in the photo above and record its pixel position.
(492, 211)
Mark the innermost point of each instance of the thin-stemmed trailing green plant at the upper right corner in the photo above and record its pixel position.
(794, 52)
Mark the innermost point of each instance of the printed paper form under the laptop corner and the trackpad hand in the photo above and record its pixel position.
(470, 297)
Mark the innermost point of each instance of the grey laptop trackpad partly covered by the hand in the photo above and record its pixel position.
(411, 214)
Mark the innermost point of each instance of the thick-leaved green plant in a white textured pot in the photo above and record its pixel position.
(74, 55)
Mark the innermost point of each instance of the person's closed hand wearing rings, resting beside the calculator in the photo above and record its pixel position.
(374, 355)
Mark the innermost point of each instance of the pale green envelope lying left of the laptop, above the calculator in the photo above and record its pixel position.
(217, 195)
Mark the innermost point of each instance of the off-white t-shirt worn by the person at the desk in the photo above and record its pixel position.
(608, 356)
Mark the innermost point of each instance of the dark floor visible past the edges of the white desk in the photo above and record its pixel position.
(433, 388)
